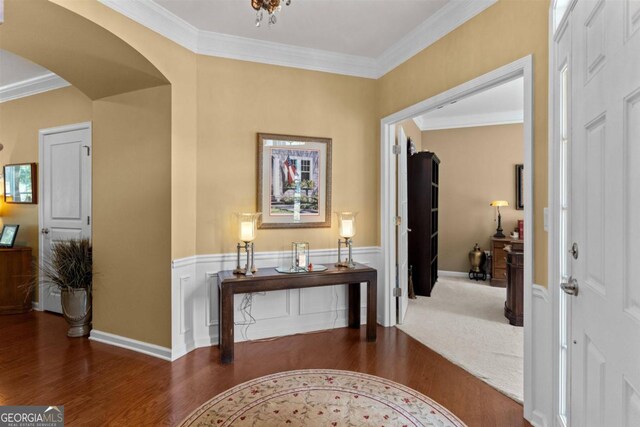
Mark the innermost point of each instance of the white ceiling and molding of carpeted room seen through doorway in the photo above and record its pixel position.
(499, 105)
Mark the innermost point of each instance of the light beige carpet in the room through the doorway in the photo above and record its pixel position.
(464, 321)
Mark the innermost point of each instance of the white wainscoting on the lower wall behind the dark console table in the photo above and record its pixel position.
(194, 301)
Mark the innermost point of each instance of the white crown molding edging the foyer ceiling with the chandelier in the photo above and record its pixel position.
(165, 23)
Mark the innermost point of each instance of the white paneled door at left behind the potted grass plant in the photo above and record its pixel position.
(65, 183)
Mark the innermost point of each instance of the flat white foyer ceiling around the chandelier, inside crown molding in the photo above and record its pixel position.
(354, 27)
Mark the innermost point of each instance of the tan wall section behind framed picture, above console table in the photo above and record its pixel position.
(236, 100)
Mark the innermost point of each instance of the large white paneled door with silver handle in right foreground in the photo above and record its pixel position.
(605, 208)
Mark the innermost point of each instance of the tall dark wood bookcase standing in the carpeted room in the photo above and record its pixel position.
(423, 170)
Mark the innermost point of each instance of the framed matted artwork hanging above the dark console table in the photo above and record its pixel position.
(294, 181)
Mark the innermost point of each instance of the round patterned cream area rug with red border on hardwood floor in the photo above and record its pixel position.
(320, 397)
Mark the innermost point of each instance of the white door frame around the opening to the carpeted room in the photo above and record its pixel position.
(520, 68)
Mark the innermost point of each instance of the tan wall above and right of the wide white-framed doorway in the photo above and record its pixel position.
(505, 32)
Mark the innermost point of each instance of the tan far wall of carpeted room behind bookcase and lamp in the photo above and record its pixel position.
(477, 165)
